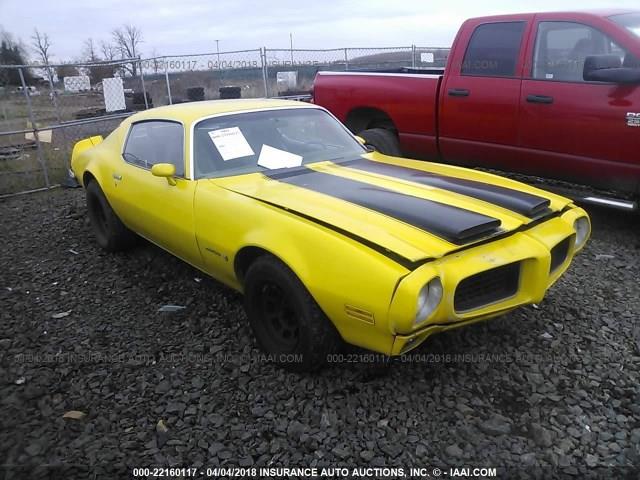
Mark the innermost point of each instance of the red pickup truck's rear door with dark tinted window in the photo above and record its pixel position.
(479, 100)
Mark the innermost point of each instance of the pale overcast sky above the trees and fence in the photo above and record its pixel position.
(192, 26)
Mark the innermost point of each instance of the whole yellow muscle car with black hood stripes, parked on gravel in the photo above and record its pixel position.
(326, 239)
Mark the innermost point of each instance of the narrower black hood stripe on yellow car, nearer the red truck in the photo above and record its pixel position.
(520, 202)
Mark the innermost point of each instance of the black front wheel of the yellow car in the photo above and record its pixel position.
(288, 324)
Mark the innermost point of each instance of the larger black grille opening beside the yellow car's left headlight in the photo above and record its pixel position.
(487, 287)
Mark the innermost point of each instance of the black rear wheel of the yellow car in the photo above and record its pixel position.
(110, 232)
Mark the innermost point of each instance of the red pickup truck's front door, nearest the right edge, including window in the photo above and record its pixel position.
(571, 128)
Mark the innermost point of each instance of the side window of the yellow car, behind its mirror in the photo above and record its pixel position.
(151, 142)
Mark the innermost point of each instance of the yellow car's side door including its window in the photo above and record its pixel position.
(156, 209)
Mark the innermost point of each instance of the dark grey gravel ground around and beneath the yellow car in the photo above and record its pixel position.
(554, 386)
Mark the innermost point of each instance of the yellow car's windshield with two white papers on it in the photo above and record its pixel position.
(251, 142)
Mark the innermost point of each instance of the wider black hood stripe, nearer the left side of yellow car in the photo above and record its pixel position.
(453, 224)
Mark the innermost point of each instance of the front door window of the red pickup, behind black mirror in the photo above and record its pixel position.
(562, 47)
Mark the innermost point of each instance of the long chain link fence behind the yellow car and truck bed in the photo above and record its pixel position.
(45, 109)
